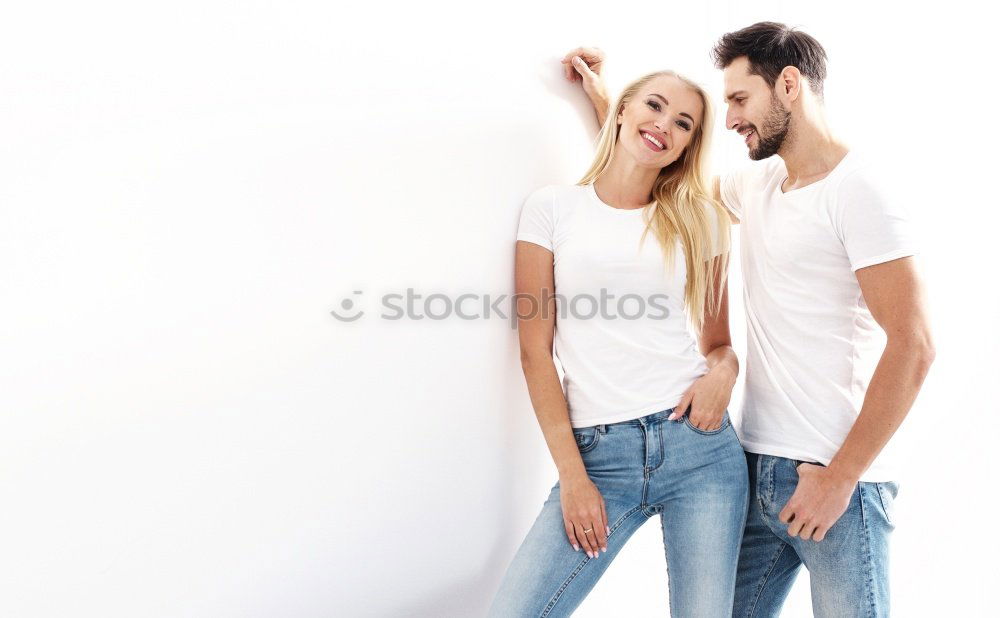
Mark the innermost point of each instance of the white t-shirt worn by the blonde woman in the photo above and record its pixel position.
(615, 368)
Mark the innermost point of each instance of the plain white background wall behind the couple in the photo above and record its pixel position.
(188, 189)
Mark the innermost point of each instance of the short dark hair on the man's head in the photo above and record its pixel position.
(770, 47)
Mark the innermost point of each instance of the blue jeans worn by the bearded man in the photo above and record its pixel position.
(848, 569)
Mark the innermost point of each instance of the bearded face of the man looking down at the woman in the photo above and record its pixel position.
(754, 110)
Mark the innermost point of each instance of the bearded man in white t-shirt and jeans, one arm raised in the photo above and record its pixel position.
(838, 336)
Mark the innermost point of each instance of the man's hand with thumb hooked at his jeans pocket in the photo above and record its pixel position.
(818, 502)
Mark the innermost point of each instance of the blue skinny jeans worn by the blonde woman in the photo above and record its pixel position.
(695, 480)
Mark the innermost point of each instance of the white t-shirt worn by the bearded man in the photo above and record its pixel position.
(812, 342)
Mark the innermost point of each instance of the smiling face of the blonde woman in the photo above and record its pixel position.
(659, 122)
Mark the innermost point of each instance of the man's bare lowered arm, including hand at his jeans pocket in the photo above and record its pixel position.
(894, 294)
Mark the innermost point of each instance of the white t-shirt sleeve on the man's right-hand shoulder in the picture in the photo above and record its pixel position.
(873, 228)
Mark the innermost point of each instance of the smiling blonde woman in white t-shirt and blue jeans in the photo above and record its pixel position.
(639, 425)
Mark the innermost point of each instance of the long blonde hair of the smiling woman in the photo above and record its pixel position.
(685, 207)
